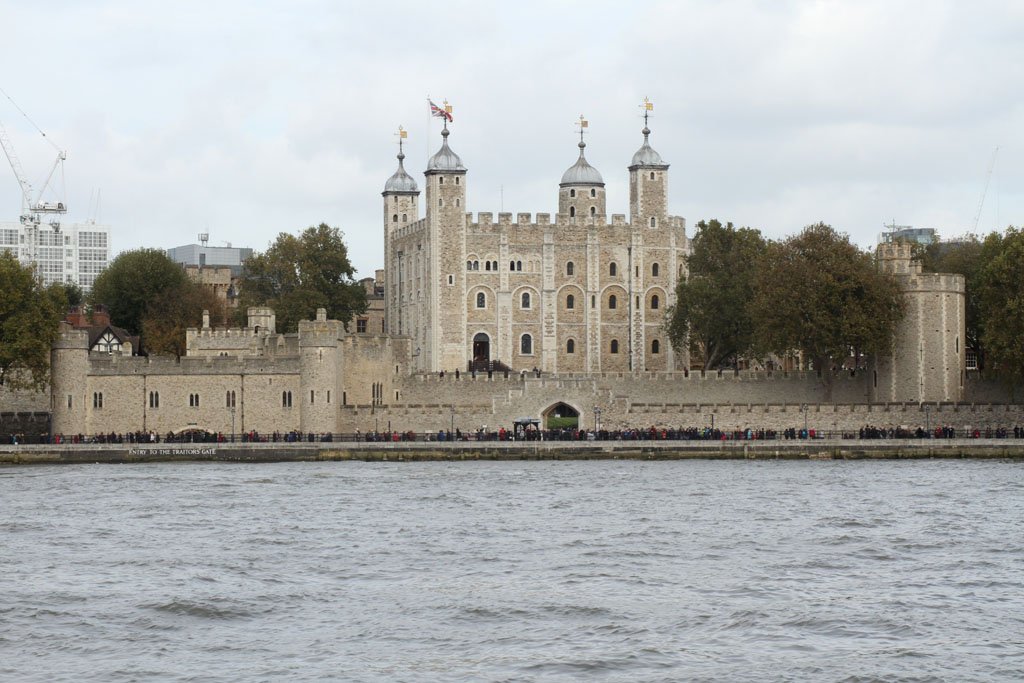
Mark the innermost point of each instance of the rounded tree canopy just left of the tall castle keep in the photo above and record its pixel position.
(298, 275)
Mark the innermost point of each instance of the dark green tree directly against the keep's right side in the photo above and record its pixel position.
(712, 310)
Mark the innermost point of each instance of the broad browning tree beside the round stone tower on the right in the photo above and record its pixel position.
(821, 294)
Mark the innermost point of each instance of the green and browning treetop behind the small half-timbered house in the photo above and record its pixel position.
(149, 294)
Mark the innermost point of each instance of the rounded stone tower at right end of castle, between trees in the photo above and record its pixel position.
(927, 358)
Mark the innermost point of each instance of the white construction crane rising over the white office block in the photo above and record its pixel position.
(35, 204)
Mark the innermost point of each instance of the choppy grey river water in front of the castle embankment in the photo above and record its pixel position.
(608, 571)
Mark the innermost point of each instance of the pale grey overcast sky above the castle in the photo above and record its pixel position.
(249, 119)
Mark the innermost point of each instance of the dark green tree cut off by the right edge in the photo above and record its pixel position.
(1001, 304)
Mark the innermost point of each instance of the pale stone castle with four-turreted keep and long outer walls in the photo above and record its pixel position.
(487, 322)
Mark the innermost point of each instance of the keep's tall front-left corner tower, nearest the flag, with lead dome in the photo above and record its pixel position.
(446, 215)
